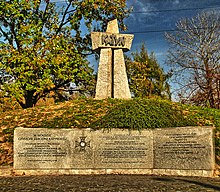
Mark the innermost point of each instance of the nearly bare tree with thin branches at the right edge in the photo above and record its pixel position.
(195, 59)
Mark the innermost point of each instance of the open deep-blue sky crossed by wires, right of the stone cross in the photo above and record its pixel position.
(150, 16)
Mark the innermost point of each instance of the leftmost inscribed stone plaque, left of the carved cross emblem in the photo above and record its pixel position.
(41, 148)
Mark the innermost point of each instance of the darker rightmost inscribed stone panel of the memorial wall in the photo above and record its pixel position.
(184, 148)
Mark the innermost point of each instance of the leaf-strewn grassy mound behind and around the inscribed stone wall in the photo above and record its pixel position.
(110, 113)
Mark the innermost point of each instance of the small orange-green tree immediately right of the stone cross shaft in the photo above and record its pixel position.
(145, 76)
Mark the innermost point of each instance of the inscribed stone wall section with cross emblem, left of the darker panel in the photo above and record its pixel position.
(79, 149)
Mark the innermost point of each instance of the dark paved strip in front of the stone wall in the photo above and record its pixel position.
(108, 183)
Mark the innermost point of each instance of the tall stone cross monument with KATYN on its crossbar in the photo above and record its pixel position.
(112, 79)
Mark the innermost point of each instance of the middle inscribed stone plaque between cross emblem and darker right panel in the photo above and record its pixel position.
(121, 149)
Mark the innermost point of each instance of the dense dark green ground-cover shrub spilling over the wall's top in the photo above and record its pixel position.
(143, 113)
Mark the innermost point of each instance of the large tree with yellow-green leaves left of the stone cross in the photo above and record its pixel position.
(45, 46)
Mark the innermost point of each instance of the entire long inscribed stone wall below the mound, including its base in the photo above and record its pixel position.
(173, 151)
